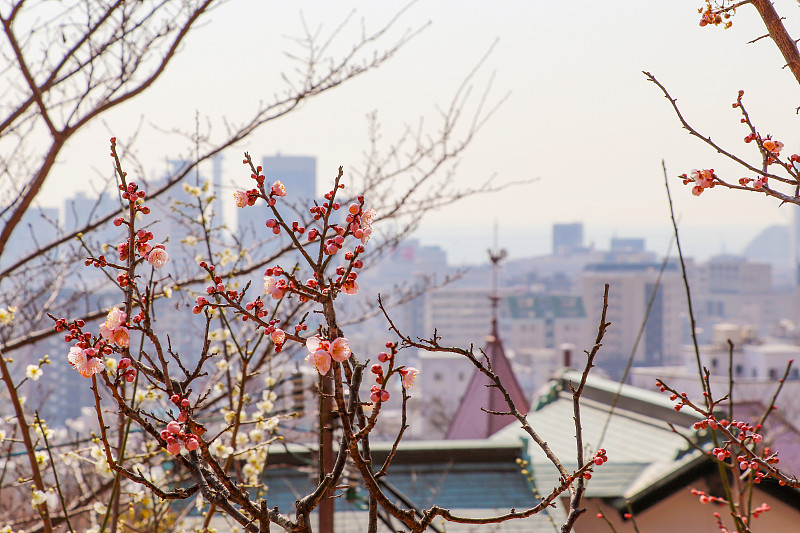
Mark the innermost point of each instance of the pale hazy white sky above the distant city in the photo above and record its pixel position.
(580, 116)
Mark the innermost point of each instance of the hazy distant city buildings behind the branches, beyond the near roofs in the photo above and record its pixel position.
(549, 305)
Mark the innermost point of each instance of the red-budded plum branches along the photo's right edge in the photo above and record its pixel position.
(739, 450)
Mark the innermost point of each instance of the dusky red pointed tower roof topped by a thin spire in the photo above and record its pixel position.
(470, 422)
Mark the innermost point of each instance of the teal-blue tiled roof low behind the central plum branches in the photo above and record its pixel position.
(474, 478)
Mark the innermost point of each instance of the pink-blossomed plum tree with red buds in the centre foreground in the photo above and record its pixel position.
(164, 399)
